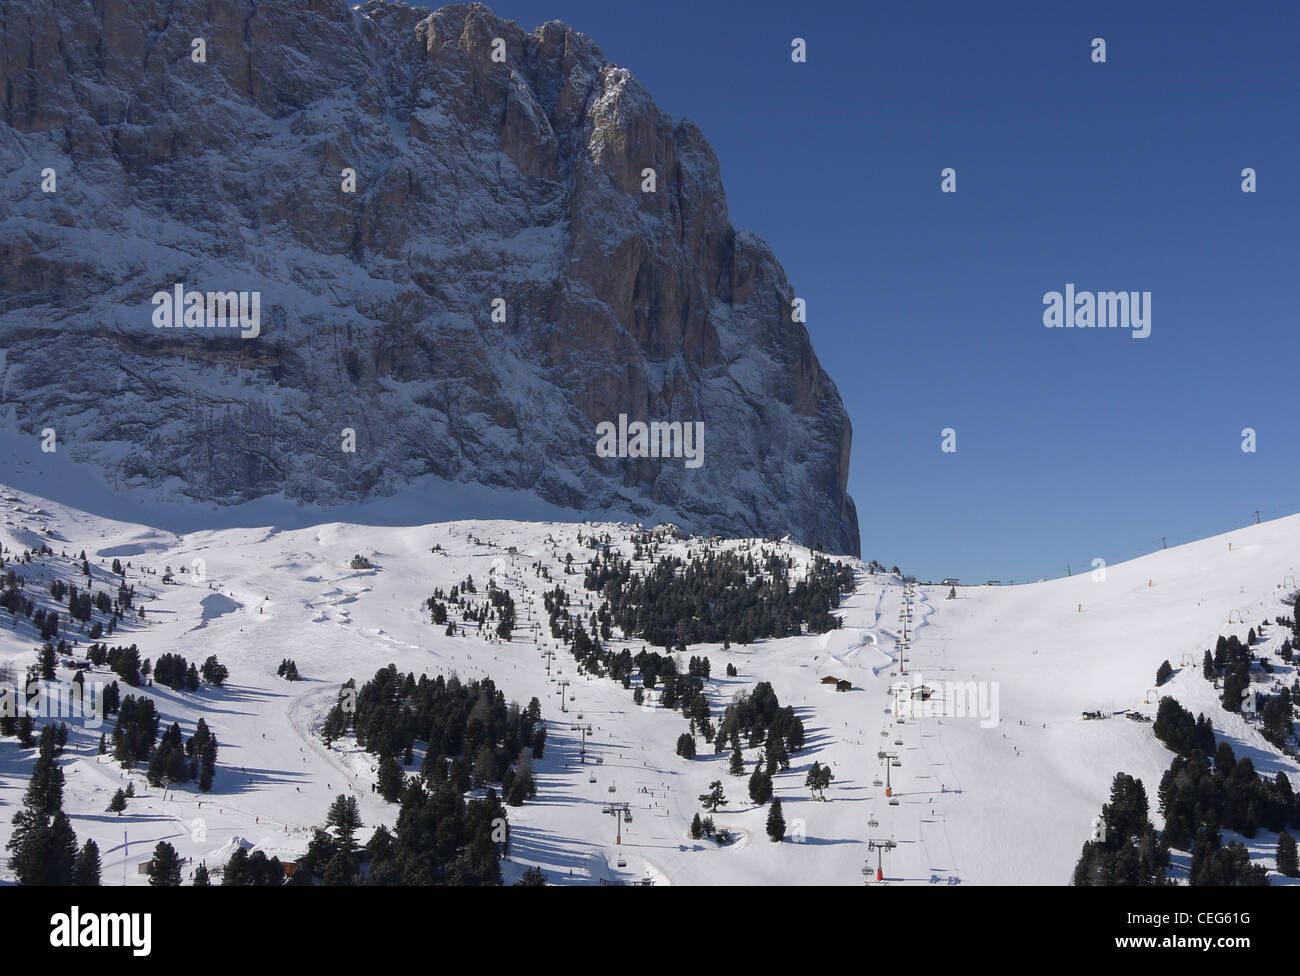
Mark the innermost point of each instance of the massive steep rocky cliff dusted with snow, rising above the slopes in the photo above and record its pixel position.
(476, 180)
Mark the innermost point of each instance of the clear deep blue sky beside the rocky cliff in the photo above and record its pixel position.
(926, 307)
